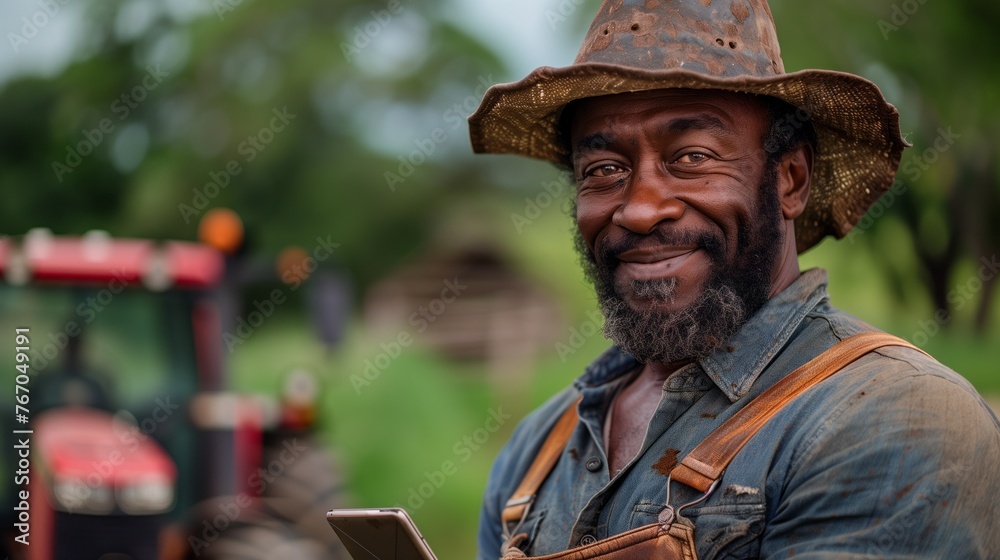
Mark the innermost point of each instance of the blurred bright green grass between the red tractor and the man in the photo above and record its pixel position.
(415, 437)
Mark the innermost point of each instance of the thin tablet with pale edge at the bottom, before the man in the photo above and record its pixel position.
(379, 534)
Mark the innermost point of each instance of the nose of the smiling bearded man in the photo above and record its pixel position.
(649, 199)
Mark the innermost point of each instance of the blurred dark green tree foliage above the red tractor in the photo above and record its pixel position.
(292, 114)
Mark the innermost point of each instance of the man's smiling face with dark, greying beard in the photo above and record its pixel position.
(679, 216)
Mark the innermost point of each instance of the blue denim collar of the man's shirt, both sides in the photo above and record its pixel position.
(736, 365)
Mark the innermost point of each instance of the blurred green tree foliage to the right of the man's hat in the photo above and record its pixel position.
(930, 60)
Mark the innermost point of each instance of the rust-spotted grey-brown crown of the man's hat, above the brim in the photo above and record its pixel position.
(721, 38)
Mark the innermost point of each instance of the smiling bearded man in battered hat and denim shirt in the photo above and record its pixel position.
(703, 170)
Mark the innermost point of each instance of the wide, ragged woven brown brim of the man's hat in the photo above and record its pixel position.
(858, 142)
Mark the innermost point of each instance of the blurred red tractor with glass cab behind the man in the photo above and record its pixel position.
(127, 442)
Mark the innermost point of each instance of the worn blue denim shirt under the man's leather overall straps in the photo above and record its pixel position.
(895, 456)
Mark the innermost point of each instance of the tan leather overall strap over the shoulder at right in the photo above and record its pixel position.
(704, 465)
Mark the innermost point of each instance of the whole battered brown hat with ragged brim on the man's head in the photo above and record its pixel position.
(639, 45)
